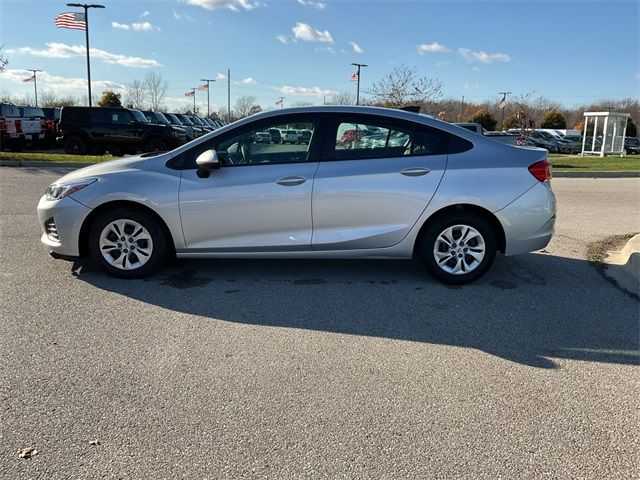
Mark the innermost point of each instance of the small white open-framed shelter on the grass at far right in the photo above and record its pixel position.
(606, 133)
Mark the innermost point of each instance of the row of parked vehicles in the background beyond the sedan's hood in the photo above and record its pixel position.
(96, 130)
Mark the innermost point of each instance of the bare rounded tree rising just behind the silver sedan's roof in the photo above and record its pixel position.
(403, 86)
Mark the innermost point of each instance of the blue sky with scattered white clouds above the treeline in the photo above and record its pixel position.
(569, 51)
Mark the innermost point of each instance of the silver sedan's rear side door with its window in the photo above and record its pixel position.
(372, 187)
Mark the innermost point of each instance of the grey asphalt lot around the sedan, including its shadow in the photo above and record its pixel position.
(317, 369)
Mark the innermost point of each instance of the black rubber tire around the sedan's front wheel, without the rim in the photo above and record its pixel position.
(160, 246)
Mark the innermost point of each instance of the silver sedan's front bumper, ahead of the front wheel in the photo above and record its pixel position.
(68, 216)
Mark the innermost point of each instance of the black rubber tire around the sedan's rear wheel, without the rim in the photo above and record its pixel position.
(430, 239)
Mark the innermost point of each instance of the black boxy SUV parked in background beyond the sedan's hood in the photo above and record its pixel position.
(119, 130)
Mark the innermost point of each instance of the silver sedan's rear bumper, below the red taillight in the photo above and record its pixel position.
(529, 221)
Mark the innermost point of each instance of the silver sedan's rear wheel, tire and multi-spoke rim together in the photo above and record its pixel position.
(458, 249)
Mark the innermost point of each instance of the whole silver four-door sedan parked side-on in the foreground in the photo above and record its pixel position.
(446, 195)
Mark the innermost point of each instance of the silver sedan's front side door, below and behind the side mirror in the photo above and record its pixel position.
(259, 199)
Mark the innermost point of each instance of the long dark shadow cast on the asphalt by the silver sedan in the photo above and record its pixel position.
(529, 309)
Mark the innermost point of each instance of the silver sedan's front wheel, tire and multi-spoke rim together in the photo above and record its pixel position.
(127, 243)
